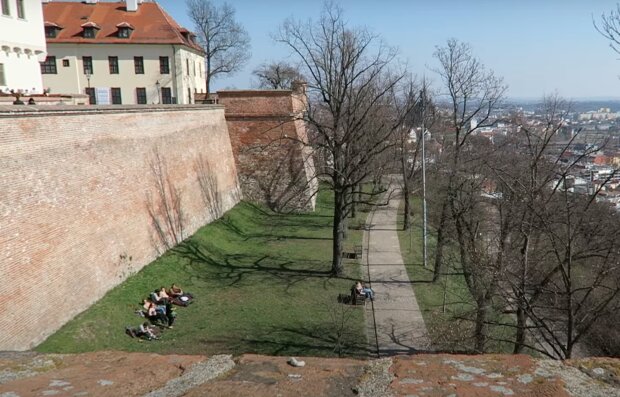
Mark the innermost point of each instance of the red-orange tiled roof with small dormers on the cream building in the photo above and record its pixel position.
(152, 25)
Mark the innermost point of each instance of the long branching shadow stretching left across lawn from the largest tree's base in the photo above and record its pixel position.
(234, 269)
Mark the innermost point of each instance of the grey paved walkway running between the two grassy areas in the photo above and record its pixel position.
(394, 321)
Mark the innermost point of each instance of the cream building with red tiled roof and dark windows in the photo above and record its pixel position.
(129, 52)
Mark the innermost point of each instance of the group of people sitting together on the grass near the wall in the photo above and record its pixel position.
(158, 309)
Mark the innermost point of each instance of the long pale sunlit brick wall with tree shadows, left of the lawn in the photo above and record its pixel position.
(74, 196)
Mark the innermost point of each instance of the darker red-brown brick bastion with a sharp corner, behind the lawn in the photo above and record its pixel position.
(269, 142)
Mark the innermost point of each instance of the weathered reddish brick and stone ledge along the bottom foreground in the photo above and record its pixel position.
(141, 374)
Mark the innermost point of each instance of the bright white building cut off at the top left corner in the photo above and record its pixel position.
(22, 46)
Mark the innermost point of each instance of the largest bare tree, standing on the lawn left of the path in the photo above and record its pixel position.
(349, 110)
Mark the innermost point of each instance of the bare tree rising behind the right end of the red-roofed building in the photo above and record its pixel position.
(225, 42)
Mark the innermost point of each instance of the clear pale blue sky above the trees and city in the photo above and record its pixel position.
(539, 47)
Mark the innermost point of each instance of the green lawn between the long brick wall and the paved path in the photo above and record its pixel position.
(261, 284)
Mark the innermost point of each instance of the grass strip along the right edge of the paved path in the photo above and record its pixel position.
(443, 302)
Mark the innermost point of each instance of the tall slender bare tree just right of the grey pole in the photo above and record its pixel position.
(473, 93)
